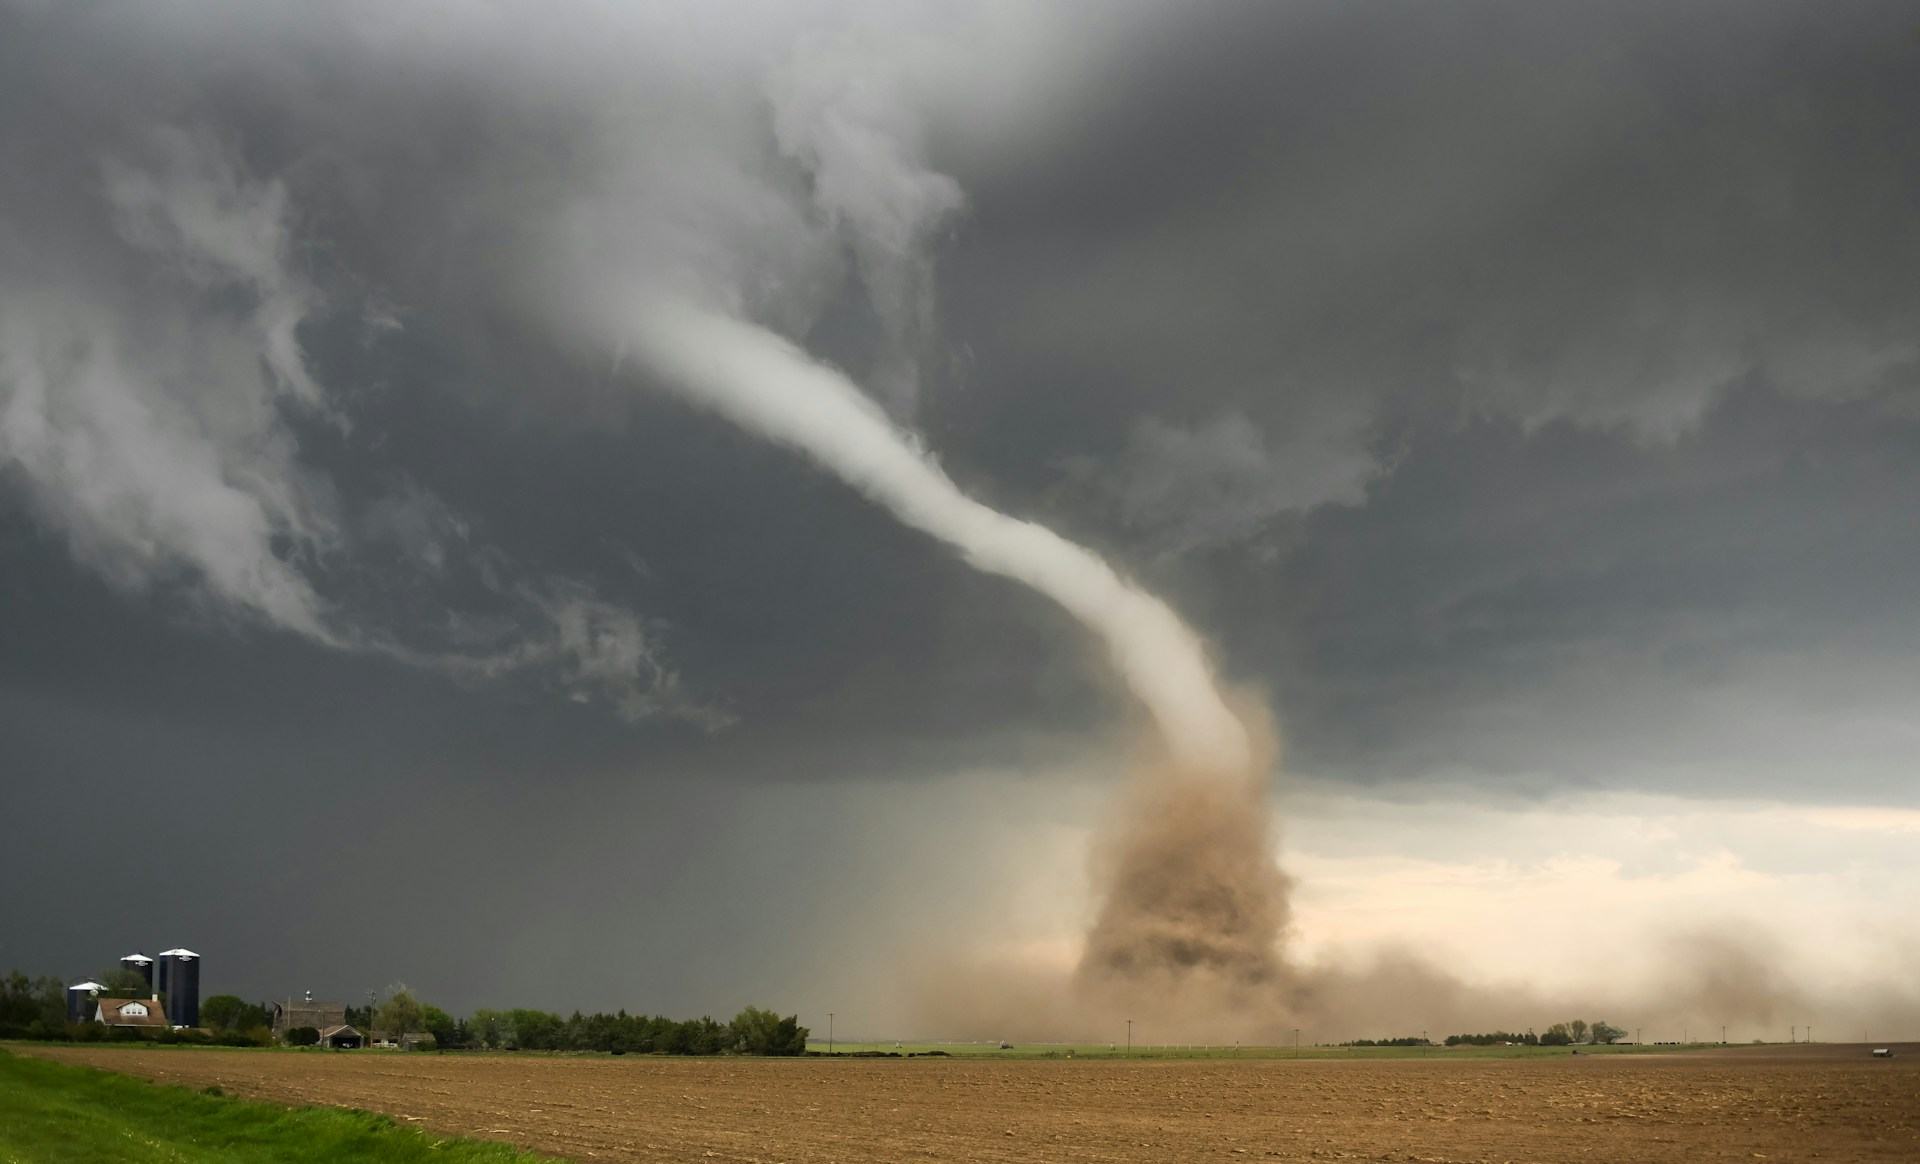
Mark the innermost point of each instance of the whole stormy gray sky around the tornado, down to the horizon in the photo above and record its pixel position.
(1524, 399)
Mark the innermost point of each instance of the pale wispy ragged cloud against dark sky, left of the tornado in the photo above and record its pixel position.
(156, 429)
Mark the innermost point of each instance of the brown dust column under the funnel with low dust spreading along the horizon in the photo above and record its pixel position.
(1191, 933)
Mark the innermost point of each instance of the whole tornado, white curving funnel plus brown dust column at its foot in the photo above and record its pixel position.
(1188, 890)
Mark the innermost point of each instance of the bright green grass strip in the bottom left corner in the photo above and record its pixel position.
(59, 1115)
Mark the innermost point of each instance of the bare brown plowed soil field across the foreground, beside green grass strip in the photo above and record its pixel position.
(1815, 1103)
